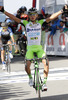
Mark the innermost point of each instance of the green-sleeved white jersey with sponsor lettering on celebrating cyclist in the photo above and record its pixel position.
(33, 32)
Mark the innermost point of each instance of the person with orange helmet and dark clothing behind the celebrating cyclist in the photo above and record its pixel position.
(21, 39)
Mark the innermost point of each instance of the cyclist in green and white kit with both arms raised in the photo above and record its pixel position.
(33, 29)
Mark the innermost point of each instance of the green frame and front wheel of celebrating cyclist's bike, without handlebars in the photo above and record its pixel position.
(37, 79)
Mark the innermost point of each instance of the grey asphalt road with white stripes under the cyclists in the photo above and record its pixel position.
(14, 86)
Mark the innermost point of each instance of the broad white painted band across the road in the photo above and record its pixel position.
(21, 76)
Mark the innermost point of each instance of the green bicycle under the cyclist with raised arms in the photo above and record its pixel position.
(37, 78)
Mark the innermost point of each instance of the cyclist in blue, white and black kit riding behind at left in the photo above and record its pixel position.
(6, 35)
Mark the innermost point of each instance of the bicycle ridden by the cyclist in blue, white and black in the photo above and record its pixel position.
(7, 57)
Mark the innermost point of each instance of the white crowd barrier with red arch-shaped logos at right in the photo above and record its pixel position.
(58, 45)
